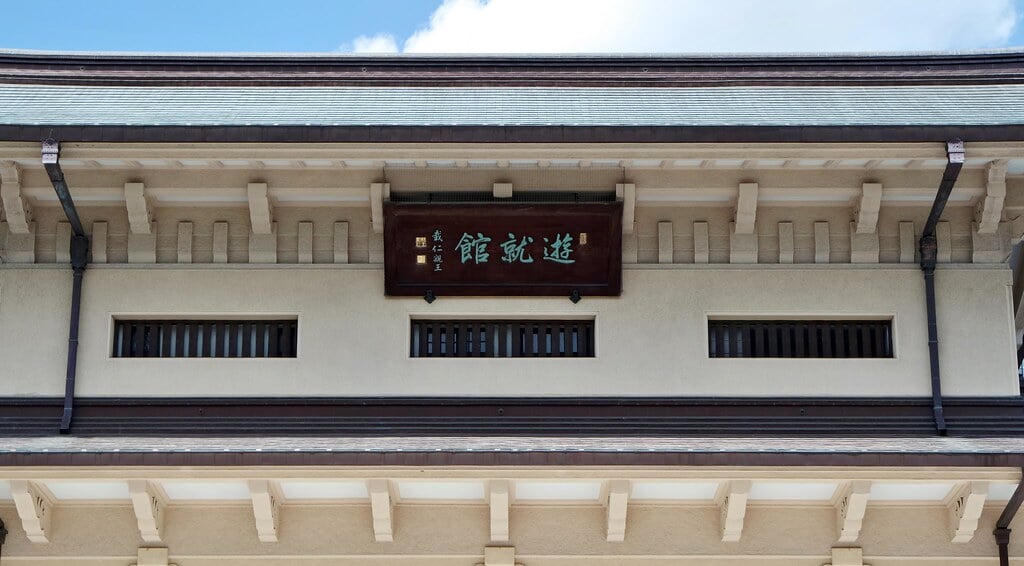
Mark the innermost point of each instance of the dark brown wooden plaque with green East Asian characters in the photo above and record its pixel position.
(497, 250)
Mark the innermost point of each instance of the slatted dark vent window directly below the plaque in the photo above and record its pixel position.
(502, 339)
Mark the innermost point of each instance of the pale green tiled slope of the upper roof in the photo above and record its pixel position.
(26, 105)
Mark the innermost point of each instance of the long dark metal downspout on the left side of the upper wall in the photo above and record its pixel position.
(79, 262)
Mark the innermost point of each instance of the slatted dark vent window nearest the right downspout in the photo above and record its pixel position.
(845, 339)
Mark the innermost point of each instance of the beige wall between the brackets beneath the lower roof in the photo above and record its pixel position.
(425, 535)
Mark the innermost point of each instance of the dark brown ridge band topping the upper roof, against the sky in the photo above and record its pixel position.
(653, 71)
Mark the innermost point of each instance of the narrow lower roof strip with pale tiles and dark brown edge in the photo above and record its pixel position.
(519, 451)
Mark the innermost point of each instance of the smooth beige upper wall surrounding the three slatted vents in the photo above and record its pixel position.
(652, 341)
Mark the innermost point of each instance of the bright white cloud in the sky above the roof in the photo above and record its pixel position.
(710, 26)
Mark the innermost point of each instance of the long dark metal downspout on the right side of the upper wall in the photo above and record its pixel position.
(929, 257)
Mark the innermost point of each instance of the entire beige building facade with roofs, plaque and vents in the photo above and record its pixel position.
(489, 311)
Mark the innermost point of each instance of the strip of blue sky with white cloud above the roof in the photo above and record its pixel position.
(511, 26)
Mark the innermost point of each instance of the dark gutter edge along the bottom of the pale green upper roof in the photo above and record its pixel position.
(510, 135)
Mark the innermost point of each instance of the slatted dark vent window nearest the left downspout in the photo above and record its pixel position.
(205, 338)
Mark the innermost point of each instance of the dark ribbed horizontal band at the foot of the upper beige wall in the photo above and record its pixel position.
(502, 417)
